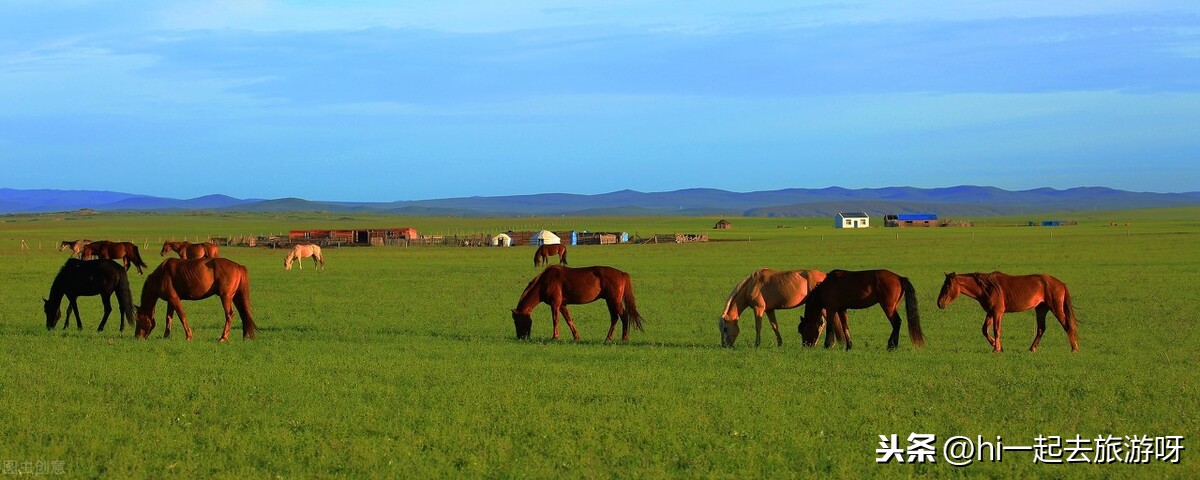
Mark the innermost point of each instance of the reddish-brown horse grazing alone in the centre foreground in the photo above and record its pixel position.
(562, 286)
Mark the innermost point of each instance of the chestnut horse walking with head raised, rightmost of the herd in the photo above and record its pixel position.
(999, 293)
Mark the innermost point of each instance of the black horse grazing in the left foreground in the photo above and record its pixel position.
(87, 279)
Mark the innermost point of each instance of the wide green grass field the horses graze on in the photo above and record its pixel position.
(401, 363)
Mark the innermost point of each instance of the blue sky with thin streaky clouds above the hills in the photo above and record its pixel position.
(377, 103)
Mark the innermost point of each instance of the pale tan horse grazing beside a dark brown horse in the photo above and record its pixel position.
(766, 291)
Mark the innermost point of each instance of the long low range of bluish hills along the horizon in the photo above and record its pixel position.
(950, 202)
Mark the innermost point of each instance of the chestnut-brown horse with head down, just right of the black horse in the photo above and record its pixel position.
(177, 280)
